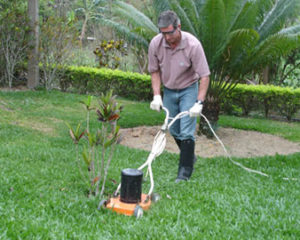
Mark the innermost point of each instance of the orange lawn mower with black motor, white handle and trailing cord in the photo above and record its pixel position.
(132, 201)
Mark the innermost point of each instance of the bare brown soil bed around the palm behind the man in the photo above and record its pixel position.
(239, 143)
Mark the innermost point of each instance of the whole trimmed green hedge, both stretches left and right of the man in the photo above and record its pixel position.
(285, 101)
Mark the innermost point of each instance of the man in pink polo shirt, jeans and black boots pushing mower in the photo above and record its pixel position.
(177, 60)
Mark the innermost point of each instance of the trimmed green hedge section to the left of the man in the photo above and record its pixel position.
(93, 80)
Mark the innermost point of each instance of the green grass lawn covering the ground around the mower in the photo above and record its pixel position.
(42, 196)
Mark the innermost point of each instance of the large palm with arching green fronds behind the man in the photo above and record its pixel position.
(238, 36)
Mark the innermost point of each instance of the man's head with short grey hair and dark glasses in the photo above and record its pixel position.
(169, 26)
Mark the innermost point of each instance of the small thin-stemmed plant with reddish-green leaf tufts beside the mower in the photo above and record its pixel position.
(99, 145)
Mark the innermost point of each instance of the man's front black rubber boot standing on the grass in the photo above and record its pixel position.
(187, 160)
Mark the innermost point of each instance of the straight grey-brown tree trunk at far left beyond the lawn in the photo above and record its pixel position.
(33, 59)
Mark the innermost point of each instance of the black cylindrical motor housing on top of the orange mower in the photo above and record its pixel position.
(131, 185)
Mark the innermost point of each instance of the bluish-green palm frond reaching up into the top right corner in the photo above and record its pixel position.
(276, 17)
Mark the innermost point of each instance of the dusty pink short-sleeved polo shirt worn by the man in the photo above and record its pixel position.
(179, 67)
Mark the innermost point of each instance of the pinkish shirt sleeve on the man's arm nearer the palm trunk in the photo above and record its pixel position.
(199, 61)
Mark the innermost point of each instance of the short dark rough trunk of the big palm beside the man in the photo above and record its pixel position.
(211, 111)
